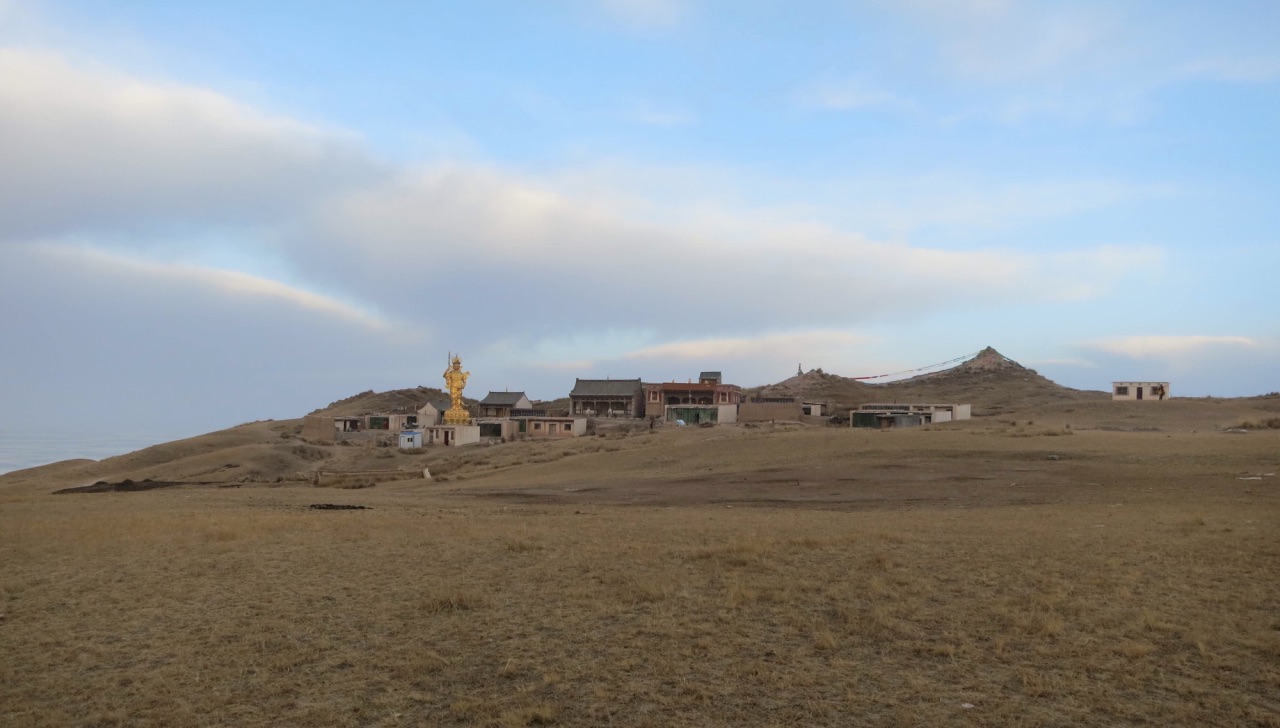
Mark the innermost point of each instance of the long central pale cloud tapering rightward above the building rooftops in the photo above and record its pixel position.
(481, 231)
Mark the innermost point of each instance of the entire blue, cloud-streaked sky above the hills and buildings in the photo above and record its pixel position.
(216, 213)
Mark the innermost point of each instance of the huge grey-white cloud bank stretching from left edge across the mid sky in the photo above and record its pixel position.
(525, 269)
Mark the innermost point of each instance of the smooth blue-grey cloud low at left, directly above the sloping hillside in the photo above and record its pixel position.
(116, 347)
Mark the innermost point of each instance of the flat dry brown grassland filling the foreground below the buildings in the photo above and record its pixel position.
(764, 578)
